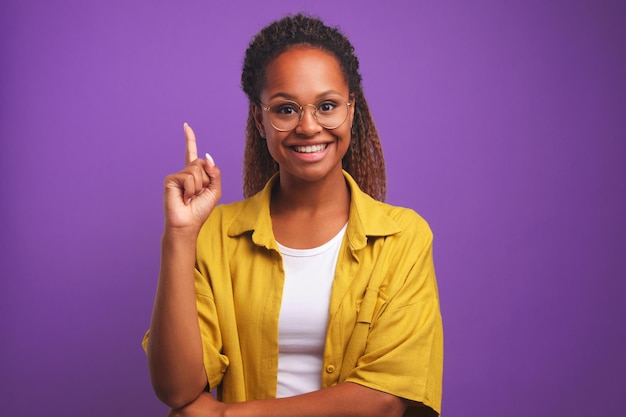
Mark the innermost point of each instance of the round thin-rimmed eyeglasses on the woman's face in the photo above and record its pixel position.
(285, 115)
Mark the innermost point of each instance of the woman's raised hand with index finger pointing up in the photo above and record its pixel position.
(191, 194)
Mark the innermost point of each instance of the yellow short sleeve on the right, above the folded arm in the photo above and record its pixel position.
(403, 353)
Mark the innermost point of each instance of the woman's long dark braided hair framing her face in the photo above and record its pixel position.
(364, 158)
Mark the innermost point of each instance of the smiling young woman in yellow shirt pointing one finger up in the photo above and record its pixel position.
(311, 297)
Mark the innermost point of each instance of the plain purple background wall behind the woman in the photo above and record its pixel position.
(502, 124)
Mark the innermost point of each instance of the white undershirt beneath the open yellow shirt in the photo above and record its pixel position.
(309, 277)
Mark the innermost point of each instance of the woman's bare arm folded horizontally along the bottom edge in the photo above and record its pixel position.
(343, 400)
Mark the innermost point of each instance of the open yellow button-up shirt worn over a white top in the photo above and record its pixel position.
(384, 327)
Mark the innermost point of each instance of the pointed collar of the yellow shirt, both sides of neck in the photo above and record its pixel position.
(367, 217)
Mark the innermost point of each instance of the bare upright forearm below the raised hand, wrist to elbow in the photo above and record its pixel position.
(174, 346)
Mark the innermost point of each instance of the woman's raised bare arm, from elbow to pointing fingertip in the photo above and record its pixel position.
(174, 348)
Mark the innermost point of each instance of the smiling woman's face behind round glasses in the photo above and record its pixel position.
(313, 79)
